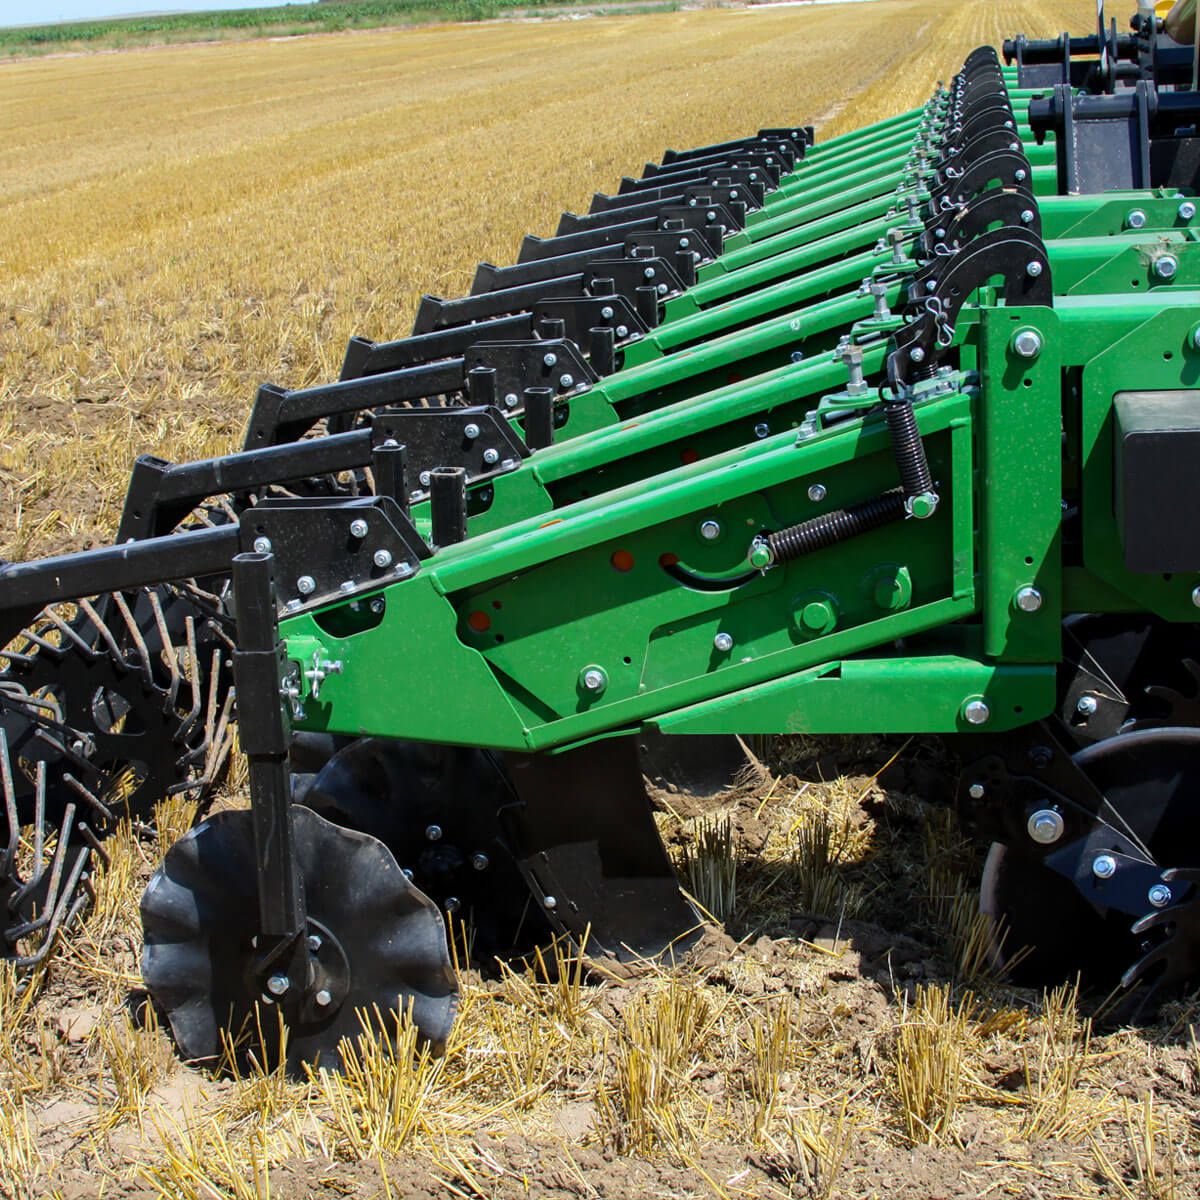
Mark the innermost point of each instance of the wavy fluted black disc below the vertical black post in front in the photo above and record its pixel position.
(382, 943)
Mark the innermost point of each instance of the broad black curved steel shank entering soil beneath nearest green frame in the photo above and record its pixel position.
(589, 844)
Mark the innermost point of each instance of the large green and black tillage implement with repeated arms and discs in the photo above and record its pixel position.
(880, 435)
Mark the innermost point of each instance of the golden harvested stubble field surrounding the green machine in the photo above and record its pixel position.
(184, 224)
